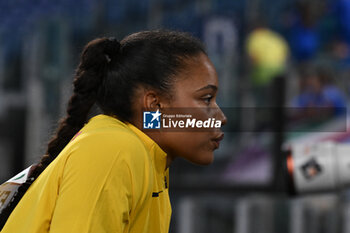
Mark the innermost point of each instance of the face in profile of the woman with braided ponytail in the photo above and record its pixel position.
(195, 89)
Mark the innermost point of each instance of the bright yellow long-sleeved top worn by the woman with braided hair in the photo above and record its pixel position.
(111, 177)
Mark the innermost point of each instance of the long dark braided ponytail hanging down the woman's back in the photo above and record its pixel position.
(94, 65)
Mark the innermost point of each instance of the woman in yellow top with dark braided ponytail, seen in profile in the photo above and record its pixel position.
(108, 175)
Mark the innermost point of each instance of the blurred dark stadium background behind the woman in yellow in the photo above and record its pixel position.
(267, 53)
